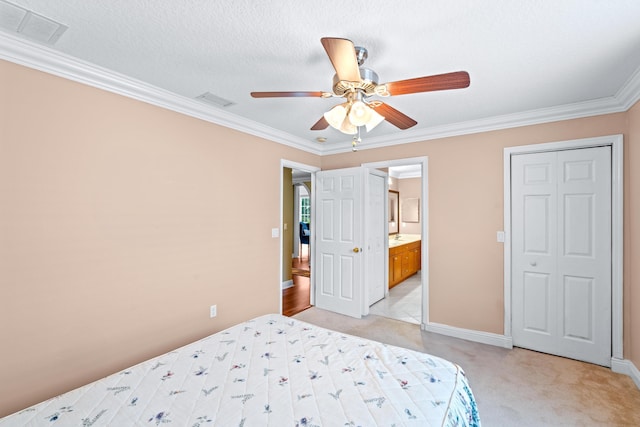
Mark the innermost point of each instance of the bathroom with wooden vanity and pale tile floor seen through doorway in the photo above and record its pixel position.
(404, 300)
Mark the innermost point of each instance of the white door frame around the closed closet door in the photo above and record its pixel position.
(617, 231)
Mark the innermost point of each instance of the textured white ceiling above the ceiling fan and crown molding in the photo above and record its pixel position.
(522, 56)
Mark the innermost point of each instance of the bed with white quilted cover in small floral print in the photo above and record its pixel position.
(270, 371)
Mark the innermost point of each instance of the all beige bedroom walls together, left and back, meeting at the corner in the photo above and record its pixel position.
(120, 226)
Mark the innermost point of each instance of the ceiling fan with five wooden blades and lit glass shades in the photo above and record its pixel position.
(357, 84)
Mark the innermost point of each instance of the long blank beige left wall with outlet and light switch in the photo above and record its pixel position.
(121, 223)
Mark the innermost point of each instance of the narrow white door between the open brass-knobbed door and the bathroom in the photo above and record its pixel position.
(376, 237)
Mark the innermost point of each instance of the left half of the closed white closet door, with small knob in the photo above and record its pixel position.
(534, 258)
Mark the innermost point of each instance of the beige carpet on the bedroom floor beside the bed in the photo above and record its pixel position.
(512, 387)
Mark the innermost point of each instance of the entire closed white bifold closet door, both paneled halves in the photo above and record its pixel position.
(561, 216)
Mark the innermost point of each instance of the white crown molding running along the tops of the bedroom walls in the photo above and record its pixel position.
(43, 58)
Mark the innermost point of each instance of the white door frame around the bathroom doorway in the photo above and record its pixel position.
(424, 213)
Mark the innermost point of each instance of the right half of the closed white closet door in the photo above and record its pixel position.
(584, 254)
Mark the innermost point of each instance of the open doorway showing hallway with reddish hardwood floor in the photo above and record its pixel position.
(296, 237)
